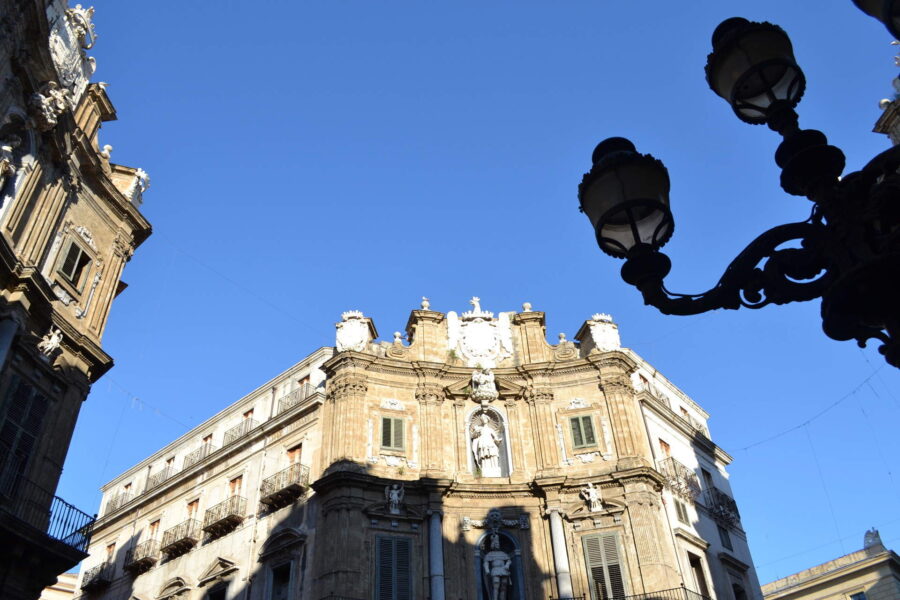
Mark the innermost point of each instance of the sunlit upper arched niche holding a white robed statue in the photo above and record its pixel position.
(488, 443)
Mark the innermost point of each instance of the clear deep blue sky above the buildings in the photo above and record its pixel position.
(312, 157)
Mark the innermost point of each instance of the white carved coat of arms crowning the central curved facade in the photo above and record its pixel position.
(478, 337)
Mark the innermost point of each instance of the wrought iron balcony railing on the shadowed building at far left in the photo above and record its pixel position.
(41, 510)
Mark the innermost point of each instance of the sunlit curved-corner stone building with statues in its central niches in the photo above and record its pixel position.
(471, 460)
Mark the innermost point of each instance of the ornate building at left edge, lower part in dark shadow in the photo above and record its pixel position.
(69, 221)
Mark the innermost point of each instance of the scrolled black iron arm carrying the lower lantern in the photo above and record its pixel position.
(763, 273)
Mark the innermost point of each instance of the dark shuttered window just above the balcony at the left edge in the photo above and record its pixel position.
(19, 430)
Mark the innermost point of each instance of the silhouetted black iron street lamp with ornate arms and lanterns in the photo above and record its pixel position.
(847, 252)
